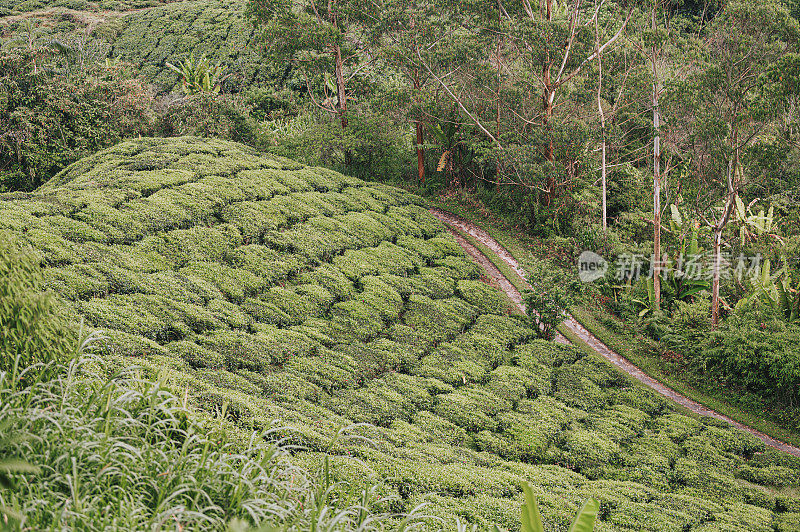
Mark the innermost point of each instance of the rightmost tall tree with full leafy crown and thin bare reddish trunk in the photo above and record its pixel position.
(727, 108)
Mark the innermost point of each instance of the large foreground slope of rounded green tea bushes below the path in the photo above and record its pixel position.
(276, 291)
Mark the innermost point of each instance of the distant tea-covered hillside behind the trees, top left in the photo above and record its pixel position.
(149, 34)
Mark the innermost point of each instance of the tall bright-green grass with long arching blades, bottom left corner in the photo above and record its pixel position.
(123, 453)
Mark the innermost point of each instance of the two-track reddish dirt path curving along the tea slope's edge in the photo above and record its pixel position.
(455, 223)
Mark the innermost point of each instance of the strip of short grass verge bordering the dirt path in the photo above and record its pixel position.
(527, 250)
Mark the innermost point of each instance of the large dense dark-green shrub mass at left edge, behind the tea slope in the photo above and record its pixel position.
(53, 119)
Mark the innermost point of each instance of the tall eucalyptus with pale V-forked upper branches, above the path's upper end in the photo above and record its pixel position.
(540, 52)
